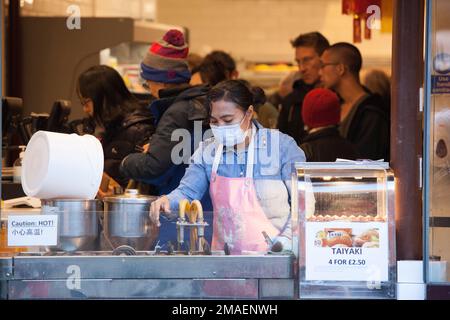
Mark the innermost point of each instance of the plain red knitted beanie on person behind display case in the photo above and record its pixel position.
(321, 108)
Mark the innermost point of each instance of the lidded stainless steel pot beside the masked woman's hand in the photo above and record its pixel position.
(126, 221)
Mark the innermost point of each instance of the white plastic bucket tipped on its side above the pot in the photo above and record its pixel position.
(62, 166)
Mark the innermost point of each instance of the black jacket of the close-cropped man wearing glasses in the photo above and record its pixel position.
(368, 127)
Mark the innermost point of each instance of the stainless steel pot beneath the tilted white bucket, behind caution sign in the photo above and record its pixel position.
(78, 225)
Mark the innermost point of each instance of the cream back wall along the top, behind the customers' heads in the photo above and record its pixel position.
(256, 30)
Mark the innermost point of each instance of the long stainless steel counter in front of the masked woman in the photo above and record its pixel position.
(147, 276)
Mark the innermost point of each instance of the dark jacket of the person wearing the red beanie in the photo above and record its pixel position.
(326, 145)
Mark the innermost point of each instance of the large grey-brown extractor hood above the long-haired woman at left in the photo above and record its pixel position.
(53, 56)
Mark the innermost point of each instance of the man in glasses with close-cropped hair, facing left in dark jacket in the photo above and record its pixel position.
(364, 120)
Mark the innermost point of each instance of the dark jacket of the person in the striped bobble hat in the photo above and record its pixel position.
(176, 109)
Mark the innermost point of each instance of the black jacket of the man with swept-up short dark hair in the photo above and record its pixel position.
(290, 119)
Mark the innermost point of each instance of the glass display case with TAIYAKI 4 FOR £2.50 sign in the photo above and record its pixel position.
(343, 215)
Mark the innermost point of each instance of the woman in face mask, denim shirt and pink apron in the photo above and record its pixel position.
(247, 169)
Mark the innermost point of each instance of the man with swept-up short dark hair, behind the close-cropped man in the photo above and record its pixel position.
(308, 49)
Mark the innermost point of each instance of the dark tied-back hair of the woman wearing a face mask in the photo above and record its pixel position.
(239, 92)
